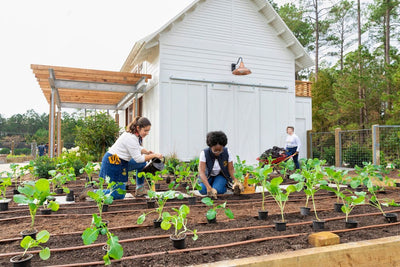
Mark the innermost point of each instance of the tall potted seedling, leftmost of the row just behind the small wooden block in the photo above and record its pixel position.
(260, 177)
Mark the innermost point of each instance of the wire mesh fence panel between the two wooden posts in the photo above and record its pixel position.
(355, 147)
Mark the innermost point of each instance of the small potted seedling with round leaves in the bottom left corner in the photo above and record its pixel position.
(28, 242)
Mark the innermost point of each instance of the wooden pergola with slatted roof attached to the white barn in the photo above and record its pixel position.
(66, 87)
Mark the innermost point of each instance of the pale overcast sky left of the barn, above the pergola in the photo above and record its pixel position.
(93, 34)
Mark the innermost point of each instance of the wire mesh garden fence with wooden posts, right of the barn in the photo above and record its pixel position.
(379, 145)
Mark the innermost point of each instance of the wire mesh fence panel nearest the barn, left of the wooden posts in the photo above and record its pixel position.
(323, 146)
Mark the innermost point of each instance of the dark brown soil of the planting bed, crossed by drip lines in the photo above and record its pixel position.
(67, 225)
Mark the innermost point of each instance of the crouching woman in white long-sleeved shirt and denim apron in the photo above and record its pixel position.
(127, 154)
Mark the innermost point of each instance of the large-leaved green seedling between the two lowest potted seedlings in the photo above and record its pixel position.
(113, 248)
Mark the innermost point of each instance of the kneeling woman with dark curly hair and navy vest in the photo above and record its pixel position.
(216, 166)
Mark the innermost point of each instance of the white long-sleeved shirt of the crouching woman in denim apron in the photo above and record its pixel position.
(126, 147)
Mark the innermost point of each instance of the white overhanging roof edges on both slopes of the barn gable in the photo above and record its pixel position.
(141, 47)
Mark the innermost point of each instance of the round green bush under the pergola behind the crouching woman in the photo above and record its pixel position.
(95, 133)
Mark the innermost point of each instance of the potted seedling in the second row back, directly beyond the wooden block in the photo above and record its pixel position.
(339, 179)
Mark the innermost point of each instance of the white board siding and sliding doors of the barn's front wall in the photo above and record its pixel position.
(203, 47)
